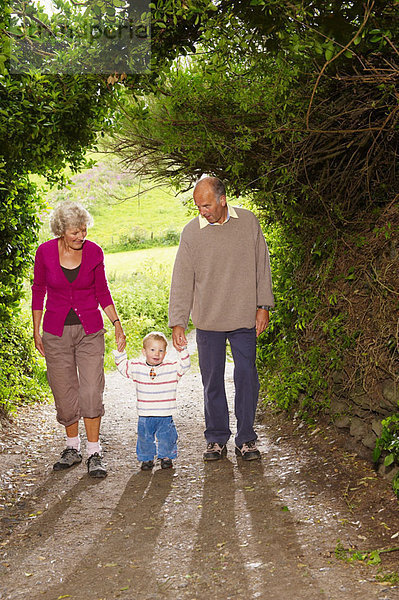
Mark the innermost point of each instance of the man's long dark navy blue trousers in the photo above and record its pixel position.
(212, 358)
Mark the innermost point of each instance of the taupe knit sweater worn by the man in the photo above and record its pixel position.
(221, 274)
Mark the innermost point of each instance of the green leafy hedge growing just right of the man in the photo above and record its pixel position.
(303, 344)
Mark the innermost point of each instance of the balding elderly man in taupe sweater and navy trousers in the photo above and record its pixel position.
(222, 277)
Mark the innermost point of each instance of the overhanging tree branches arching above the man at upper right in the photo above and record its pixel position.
(296, 101)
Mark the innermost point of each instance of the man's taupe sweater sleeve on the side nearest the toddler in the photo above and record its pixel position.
(182, 287)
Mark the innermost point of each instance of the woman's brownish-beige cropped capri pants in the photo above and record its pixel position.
(75, 372)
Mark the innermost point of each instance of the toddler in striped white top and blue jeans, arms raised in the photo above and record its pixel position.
(156, 385)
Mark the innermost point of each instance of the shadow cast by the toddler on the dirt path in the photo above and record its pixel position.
(121, 561)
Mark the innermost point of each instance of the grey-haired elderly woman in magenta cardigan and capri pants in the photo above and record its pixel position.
(70, 270)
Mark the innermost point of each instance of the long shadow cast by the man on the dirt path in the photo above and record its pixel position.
(246, 545)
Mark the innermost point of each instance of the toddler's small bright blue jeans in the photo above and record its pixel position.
(156, 429)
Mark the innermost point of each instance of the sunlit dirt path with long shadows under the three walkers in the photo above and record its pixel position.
(219, 531)
